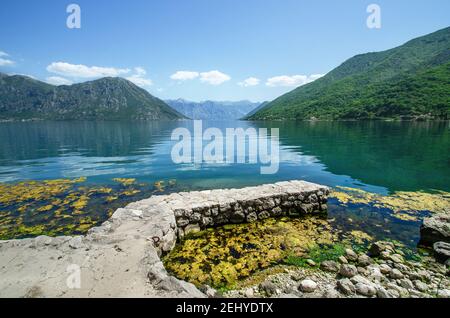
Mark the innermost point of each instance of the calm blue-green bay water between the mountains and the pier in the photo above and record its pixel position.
(381, 157)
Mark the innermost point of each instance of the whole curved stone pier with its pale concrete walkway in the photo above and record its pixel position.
(121, 258)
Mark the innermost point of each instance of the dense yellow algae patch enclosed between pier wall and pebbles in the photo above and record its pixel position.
(224, 256)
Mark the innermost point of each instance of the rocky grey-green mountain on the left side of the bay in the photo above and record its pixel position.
(107, 98)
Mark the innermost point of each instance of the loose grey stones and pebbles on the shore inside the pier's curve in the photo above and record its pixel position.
(383, 273)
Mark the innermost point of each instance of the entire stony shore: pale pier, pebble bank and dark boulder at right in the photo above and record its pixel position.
(122, 257)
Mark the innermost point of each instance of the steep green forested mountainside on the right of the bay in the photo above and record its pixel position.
(408, 82)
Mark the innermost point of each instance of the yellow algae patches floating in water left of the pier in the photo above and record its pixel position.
(64, 206)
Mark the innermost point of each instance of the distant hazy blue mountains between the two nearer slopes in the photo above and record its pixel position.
(211, 110)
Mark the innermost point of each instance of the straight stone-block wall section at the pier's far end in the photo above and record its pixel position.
(195, 211)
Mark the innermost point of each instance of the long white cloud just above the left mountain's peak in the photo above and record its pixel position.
(73, 70)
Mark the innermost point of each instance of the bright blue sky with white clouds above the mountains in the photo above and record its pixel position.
(204, 49)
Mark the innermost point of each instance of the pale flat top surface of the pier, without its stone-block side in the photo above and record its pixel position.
(121, 258)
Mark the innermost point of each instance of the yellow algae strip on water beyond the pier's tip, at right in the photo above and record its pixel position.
(403, 204)
